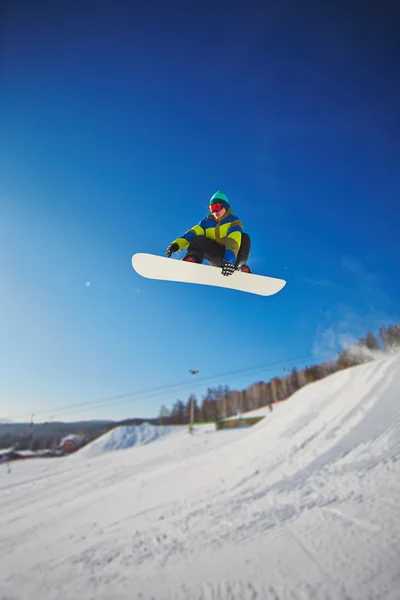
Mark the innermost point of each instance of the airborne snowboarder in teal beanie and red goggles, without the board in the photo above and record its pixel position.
(219, 238)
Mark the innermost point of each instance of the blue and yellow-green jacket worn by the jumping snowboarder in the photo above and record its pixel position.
(228, 232)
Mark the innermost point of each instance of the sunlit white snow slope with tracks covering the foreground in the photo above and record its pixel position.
(304, 505)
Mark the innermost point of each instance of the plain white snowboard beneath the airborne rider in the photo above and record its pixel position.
(170, 269)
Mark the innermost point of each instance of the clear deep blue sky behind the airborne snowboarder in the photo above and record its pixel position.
(117, 124)
